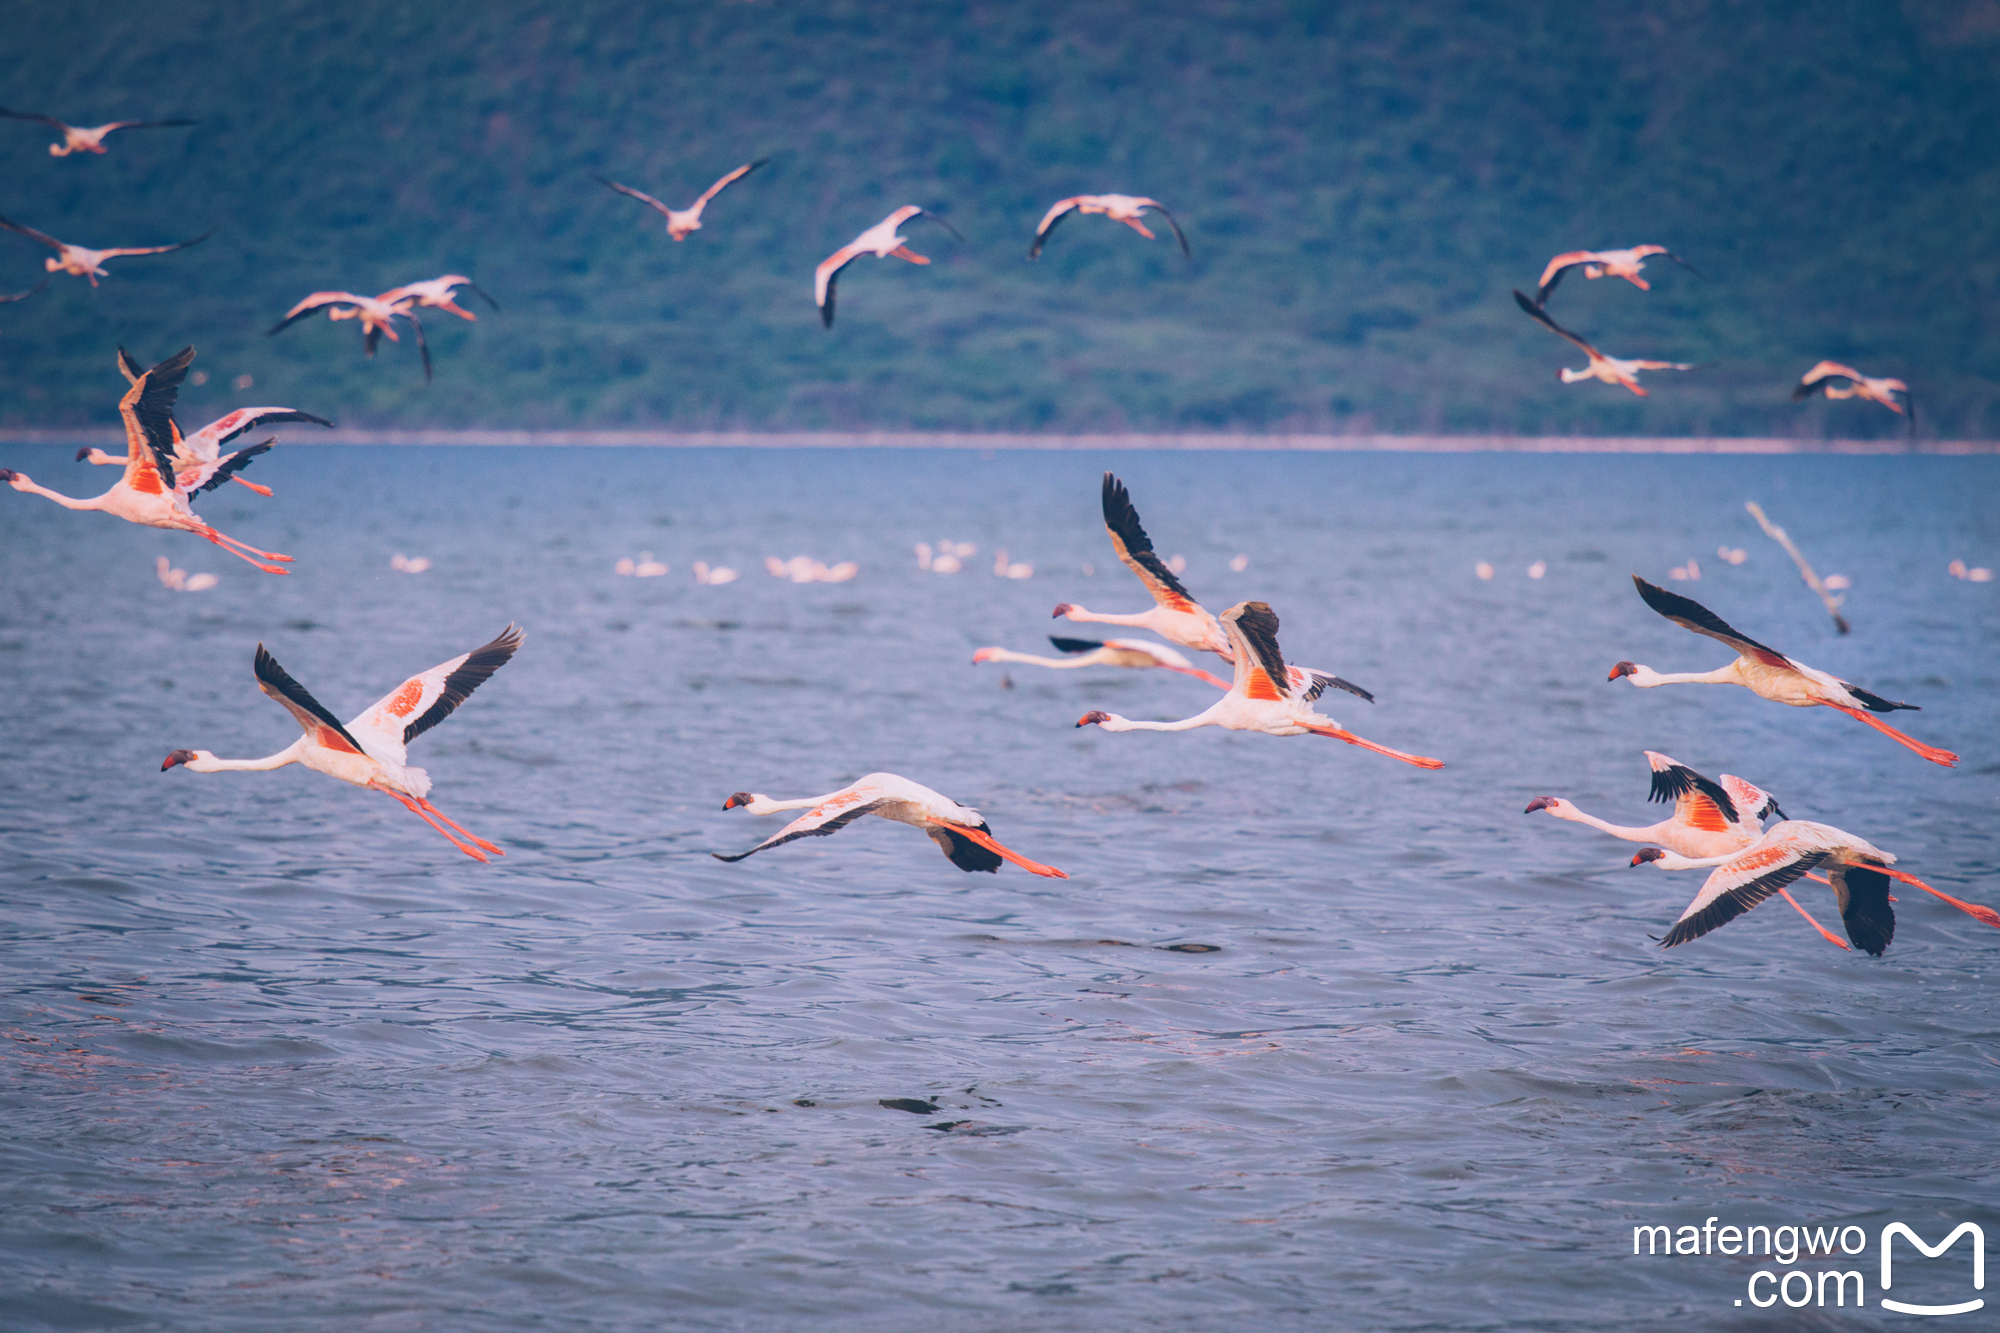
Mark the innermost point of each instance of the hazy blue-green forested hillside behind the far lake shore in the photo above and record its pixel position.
(1361, 183)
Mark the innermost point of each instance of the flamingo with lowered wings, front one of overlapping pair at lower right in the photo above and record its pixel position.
(1857, 872)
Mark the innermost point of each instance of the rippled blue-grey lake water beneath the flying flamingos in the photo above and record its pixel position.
(281, 1058)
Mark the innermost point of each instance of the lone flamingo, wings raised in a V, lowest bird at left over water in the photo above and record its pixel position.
(373, 750)
